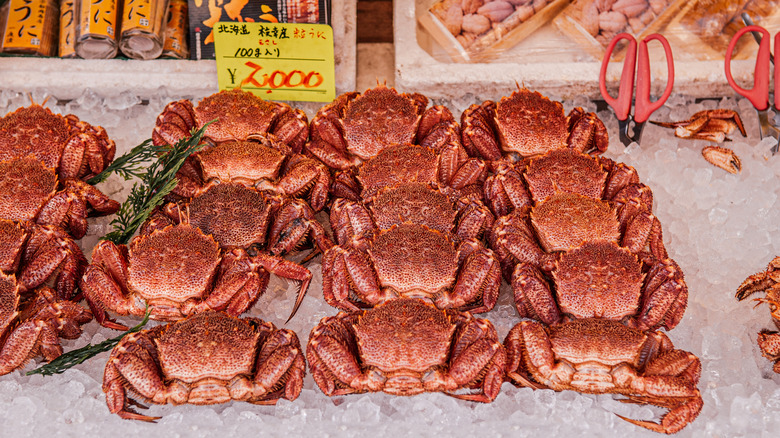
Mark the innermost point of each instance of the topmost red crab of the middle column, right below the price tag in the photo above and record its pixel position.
(357, 127)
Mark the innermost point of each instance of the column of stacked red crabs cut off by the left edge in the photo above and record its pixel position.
(45, 159)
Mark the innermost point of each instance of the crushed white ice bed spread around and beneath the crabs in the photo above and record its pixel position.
(719, 228)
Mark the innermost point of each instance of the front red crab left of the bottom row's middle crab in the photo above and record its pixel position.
(208, 358)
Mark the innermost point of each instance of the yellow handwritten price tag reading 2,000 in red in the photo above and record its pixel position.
(276, 61)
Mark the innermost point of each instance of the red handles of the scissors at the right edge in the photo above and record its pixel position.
(759, 94)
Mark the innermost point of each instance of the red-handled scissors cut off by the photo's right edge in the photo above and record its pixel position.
(759, 94)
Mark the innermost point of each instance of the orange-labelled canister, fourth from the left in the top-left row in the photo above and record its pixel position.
(143, 25)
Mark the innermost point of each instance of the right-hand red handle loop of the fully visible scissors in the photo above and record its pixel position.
(644, 106)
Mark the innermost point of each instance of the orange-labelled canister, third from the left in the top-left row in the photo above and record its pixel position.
(97, 26)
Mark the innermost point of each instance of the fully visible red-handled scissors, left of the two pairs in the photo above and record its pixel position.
(643, 106)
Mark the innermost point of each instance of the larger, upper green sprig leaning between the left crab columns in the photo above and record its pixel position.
(157, 181)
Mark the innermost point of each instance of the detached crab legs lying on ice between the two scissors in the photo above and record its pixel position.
(713, 125)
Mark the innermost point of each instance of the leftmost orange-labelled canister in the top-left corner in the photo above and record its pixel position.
(31, 27)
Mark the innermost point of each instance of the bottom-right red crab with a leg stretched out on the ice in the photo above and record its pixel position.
(597, 356)
